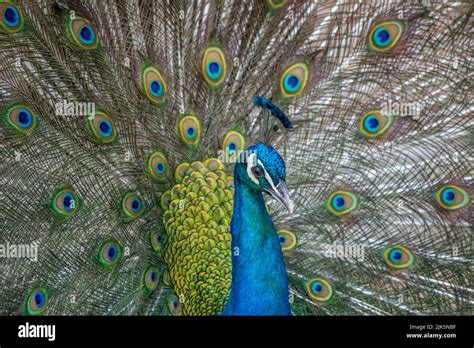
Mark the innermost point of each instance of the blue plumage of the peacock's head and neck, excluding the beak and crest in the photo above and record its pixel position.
(259, 279)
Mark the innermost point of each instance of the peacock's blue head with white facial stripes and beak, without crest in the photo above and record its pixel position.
(261, 168)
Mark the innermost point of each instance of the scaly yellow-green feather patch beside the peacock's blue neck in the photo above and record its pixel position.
(198, 239)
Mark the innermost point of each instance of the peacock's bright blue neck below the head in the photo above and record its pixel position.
(259, 279)
